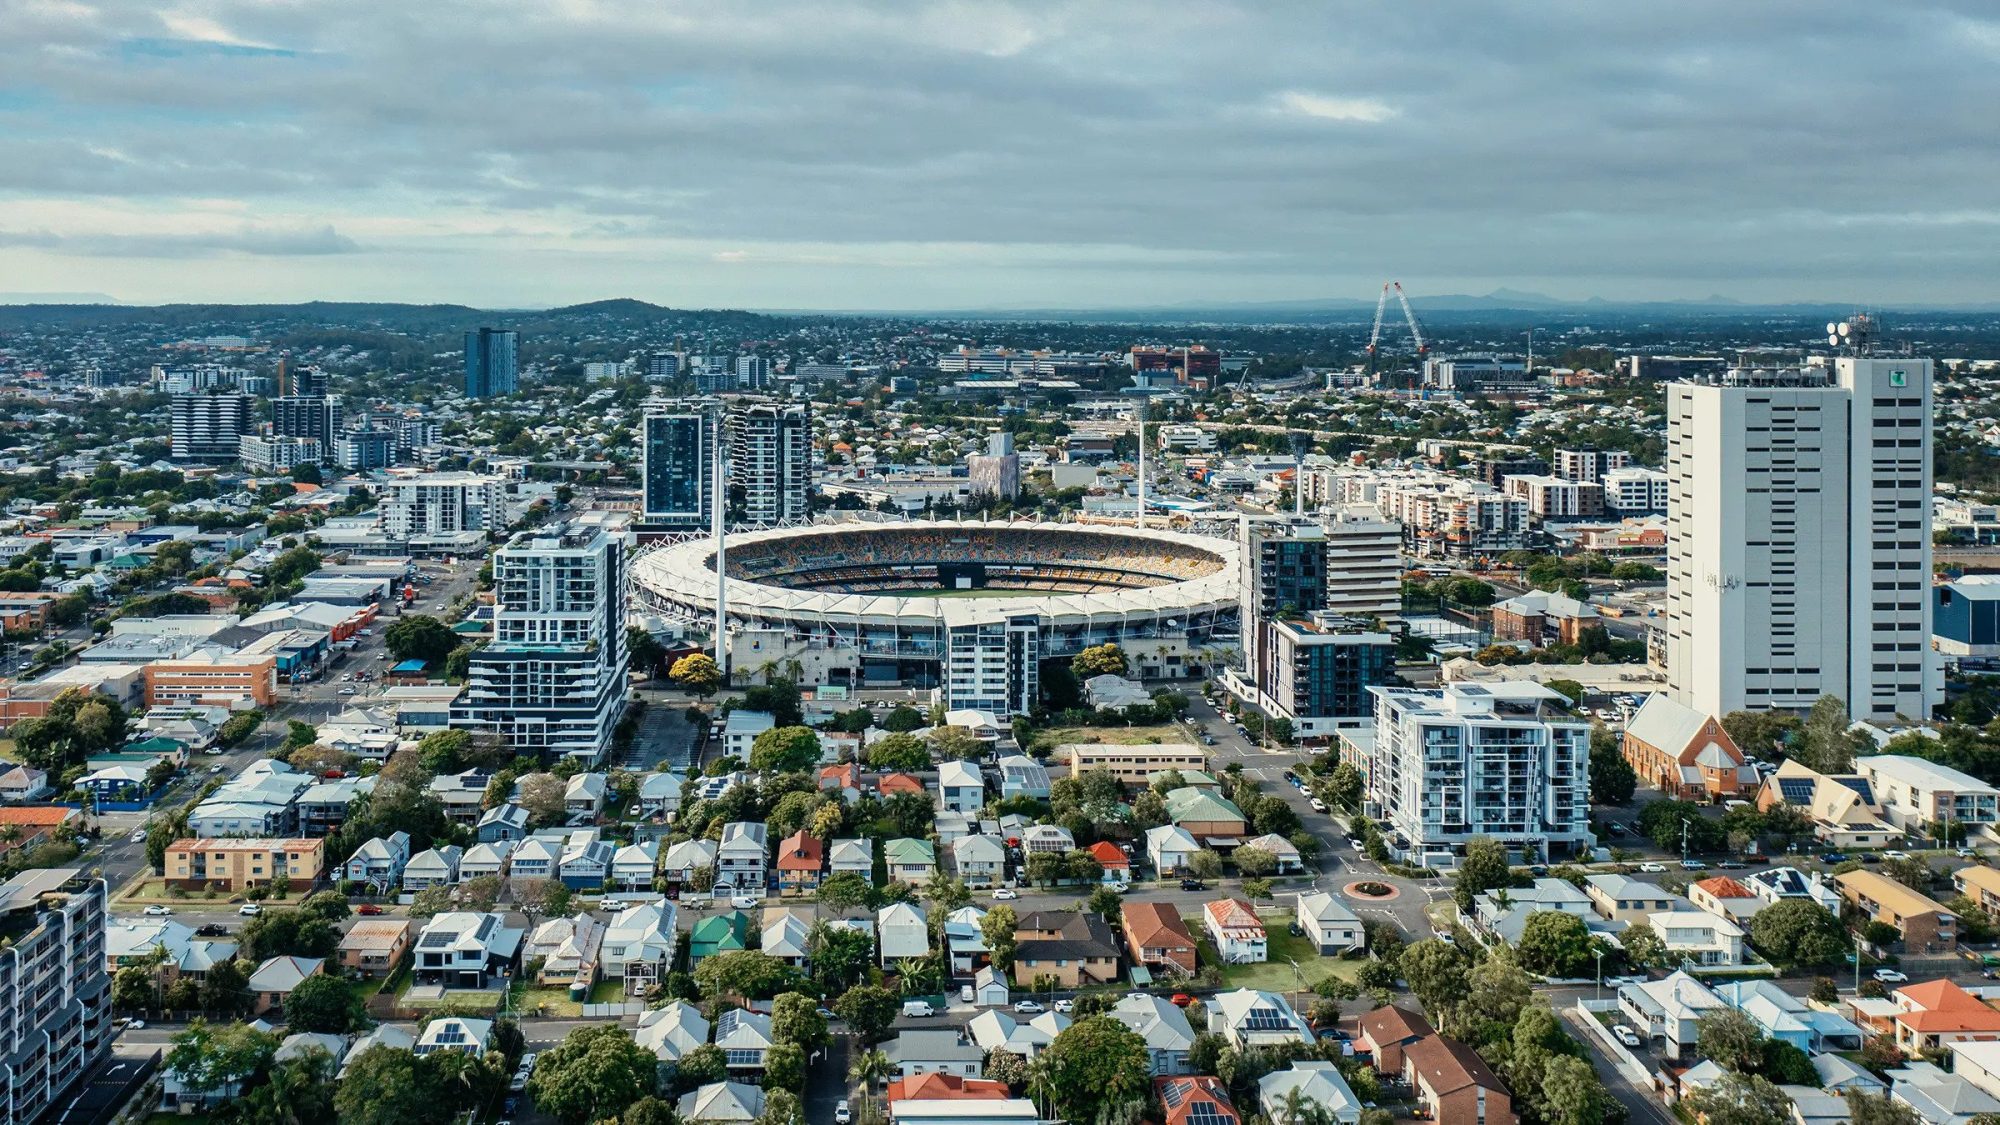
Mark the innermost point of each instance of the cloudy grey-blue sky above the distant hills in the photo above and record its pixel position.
(843, 155)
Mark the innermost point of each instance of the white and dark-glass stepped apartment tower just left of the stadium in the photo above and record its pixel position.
(555, 678)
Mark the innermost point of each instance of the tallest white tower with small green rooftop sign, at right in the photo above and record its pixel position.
(1799, 539)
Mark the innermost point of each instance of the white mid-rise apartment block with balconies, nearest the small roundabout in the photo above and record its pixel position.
(1503, 762)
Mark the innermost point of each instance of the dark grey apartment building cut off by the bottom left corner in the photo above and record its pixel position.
(55, 994)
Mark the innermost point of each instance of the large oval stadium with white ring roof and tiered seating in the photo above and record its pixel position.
(973, 608)
